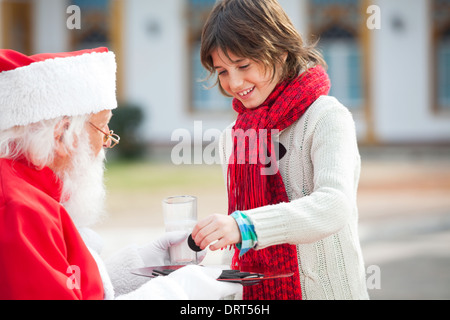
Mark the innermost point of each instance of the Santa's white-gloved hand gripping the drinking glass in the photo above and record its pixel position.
(157, 253)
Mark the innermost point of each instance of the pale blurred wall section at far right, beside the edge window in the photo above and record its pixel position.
(402, 75)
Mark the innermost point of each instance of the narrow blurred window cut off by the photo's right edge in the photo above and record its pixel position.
(441, 19)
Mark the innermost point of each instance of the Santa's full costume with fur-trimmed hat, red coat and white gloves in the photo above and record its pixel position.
(42, 254)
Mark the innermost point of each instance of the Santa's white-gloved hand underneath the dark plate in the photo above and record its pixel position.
(200, 283)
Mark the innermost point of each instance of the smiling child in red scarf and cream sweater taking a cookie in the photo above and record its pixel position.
(302, 217)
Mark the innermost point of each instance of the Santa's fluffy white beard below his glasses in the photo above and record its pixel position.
(83, 193)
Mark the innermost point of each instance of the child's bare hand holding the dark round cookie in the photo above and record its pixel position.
(216, 227)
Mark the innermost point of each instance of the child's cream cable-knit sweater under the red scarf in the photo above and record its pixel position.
(321, 172)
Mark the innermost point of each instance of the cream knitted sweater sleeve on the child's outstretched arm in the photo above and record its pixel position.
(327, 209)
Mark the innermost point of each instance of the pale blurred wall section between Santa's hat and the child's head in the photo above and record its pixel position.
(156, 67)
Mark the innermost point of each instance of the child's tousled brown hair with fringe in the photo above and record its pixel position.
(258, 30)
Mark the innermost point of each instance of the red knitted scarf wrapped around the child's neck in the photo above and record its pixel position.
(252, 185)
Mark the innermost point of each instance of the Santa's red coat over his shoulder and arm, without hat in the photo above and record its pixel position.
(42, 255)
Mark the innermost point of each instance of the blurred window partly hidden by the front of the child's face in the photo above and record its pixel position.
(203, 97)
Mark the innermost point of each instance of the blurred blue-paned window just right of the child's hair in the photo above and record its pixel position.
(336, 24)
